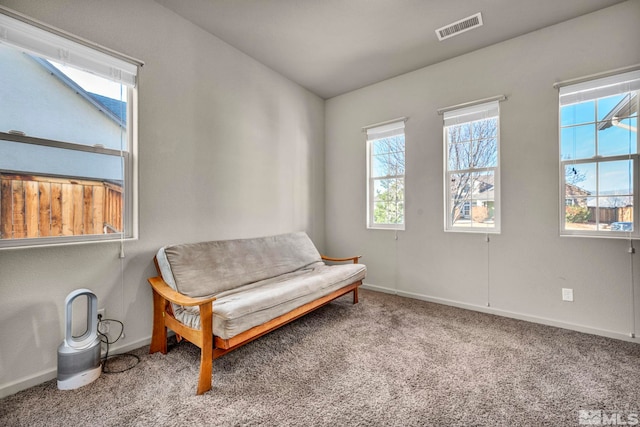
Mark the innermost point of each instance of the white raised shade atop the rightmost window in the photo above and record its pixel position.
(600, 88)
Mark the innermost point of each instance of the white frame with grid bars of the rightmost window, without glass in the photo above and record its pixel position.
(595, 90)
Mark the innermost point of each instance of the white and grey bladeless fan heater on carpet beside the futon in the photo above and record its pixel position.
(79, 357)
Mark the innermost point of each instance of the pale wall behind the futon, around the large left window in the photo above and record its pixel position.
(227, 148)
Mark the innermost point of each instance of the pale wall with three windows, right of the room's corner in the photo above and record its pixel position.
(520, 272)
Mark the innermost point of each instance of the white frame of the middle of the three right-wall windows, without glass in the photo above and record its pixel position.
(470, 113)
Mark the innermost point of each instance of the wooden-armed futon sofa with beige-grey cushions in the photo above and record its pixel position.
(220, 295)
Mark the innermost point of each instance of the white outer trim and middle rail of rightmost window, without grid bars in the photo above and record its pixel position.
(592, 89)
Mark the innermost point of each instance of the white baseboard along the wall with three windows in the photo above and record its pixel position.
(506, 313)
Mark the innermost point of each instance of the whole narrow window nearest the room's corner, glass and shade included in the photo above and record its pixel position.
(385, 171)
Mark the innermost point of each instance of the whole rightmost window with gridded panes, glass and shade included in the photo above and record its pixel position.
(599, 157)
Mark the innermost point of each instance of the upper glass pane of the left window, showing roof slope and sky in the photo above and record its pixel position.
(46, 100)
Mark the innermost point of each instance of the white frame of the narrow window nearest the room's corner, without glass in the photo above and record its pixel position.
(392, 128)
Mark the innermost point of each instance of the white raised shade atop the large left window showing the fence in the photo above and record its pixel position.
(59, 49)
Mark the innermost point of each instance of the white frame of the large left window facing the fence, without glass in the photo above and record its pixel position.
(45, 42)
